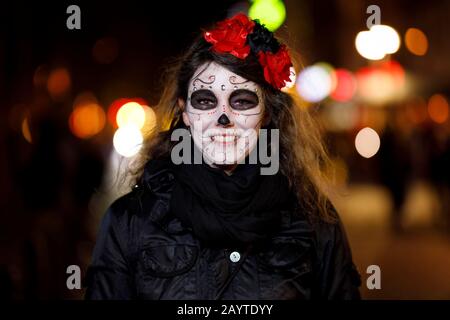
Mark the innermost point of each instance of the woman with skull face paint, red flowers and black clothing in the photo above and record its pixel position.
(224, 228)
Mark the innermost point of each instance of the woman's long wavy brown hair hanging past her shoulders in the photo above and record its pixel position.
(303, 156)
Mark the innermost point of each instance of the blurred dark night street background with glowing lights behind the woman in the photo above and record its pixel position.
(74, 104)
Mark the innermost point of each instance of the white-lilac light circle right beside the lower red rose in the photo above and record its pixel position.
(314, 83)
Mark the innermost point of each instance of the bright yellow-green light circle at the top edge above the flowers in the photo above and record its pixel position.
(271, 13)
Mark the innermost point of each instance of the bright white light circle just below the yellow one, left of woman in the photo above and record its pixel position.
(128, 140)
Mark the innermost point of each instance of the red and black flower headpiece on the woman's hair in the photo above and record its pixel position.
(239, 36)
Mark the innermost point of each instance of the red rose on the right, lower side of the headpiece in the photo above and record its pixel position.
(276, 66)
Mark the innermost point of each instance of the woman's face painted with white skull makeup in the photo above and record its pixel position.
(224, 112)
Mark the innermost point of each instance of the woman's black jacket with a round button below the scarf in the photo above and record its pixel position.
(143, 252)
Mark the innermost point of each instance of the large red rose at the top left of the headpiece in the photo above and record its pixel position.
(230, 36)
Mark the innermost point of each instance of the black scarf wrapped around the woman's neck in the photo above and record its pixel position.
(228, 209)
